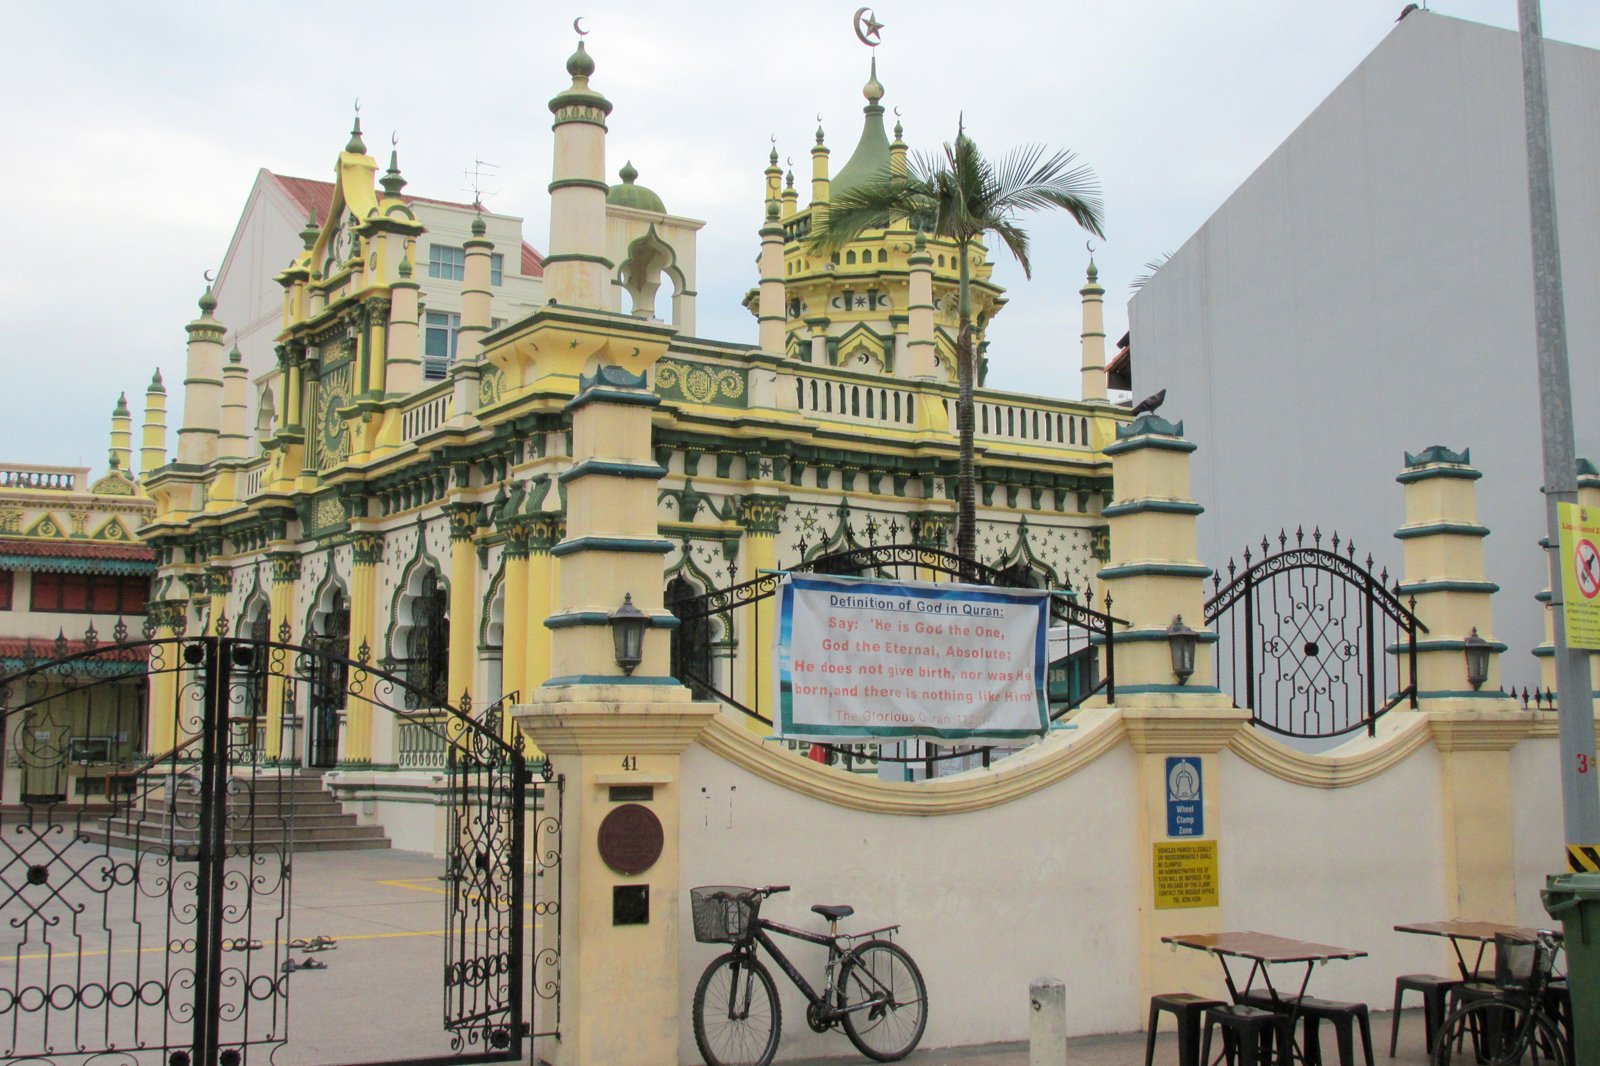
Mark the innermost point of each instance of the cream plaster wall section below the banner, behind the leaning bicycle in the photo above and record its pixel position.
(990, 900)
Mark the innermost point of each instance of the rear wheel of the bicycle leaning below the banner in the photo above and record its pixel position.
(882, 974)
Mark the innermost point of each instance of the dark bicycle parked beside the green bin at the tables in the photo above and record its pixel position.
(1510, 1022)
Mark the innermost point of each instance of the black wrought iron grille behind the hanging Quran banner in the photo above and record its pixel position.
(1086, 652)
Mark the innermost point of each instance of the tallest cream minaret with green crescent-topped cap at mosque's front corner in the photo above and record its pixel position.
(575, 271)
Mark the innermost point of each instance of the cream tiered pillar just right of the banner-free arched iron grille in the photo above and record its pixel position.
(1476, 729)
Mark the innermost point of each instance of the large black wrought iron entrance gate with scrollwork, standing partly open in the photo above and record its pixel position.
(145, 899)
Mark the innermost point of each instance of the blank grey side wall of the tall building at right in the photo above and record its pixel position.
(1369, 292)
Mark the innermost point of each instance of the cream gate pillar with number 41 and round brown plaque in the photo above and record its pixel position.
(615, 732)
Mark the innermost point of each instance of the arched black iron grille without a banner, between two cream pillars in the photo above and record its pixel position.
(1308, 638)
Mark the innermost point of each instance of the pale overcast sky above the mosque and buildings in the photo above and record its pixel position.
(132, 135)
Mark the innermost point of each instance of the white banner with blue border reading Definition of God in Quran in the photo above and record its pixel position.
(862, 659)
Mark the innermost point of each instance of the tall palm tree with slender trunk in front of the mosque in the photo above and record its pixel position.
(962, 198)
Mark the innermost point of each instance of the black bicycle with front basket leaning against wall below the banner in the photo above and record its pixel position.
(871, 987)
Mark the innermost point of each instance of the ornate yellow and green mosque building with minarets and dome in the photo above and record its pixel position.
(412, 511)
